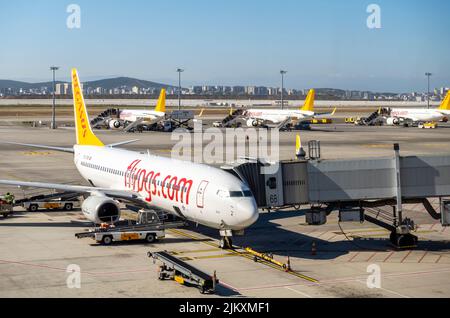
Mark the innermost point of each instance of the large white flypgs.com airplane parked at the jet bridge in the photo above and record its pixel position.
(193, 192)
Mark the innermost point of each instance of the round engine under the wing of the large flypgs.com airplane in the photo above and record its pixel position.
(98, 209)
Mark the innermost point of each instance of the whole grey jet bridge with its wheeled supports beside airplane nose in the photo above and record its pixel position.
(372, 189)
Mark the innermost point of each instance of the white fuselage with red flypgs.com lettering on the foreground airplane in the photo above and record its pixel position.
(198, 193)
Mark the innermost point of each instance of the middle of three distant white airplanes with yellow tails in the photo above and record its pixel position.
(261, 117)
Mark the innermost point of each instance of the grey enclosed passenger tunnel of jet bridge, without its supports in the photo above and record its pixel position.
(324, 181)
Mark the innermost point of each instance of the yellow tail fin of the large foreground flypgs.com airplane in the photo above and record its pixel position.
(84, 133)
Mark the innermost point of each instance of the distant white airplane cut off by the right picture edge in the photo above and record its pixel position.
(396, 116)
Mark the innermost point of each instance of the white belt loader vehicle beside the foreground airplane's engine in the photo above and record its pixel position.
(151, 227)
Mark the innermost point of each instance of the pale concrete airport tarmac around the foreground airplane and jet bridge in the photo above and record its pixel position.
(36, 249)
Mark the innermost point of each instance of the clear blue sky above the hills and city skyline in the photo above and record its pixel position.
(322, 43)
